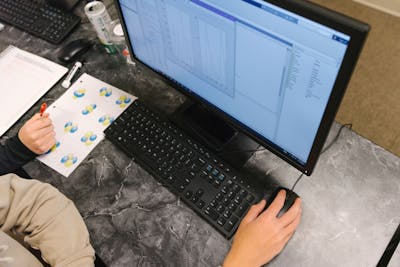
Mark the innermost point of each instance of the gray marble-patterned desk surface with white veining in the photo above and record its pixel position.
(350, 204)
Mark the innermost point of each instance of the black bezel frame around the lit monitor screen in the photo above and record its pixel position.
(357, 31)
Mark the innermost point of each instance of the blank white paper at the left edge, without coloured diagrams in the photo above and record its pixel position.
(24, 79)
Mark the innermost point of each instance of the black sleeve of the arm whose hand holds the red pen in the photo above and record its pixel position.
(13, 155)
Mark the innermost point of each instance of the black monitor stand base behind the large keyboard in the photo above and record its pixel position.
(215, 133)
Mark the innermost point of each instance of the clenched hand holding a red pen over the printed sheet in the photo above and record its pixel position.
(38, 134)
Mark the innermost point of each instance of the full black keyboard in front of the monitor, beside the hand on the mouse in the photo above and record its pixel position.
(212, 188)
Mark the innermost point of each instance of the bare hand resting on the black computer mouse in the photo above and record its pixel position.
(261, 235)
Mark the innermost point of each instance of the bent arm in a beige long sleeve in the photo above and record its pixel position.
(49, 221)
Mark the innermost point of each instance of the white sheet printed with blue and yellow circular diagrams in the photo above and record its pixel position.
(80, 116)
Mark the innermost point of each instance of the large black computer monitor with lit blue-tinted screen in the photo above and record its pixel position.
(275, 70)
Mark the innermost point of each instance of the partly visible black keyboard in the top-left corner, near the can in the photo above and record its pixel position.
(38, 18)
